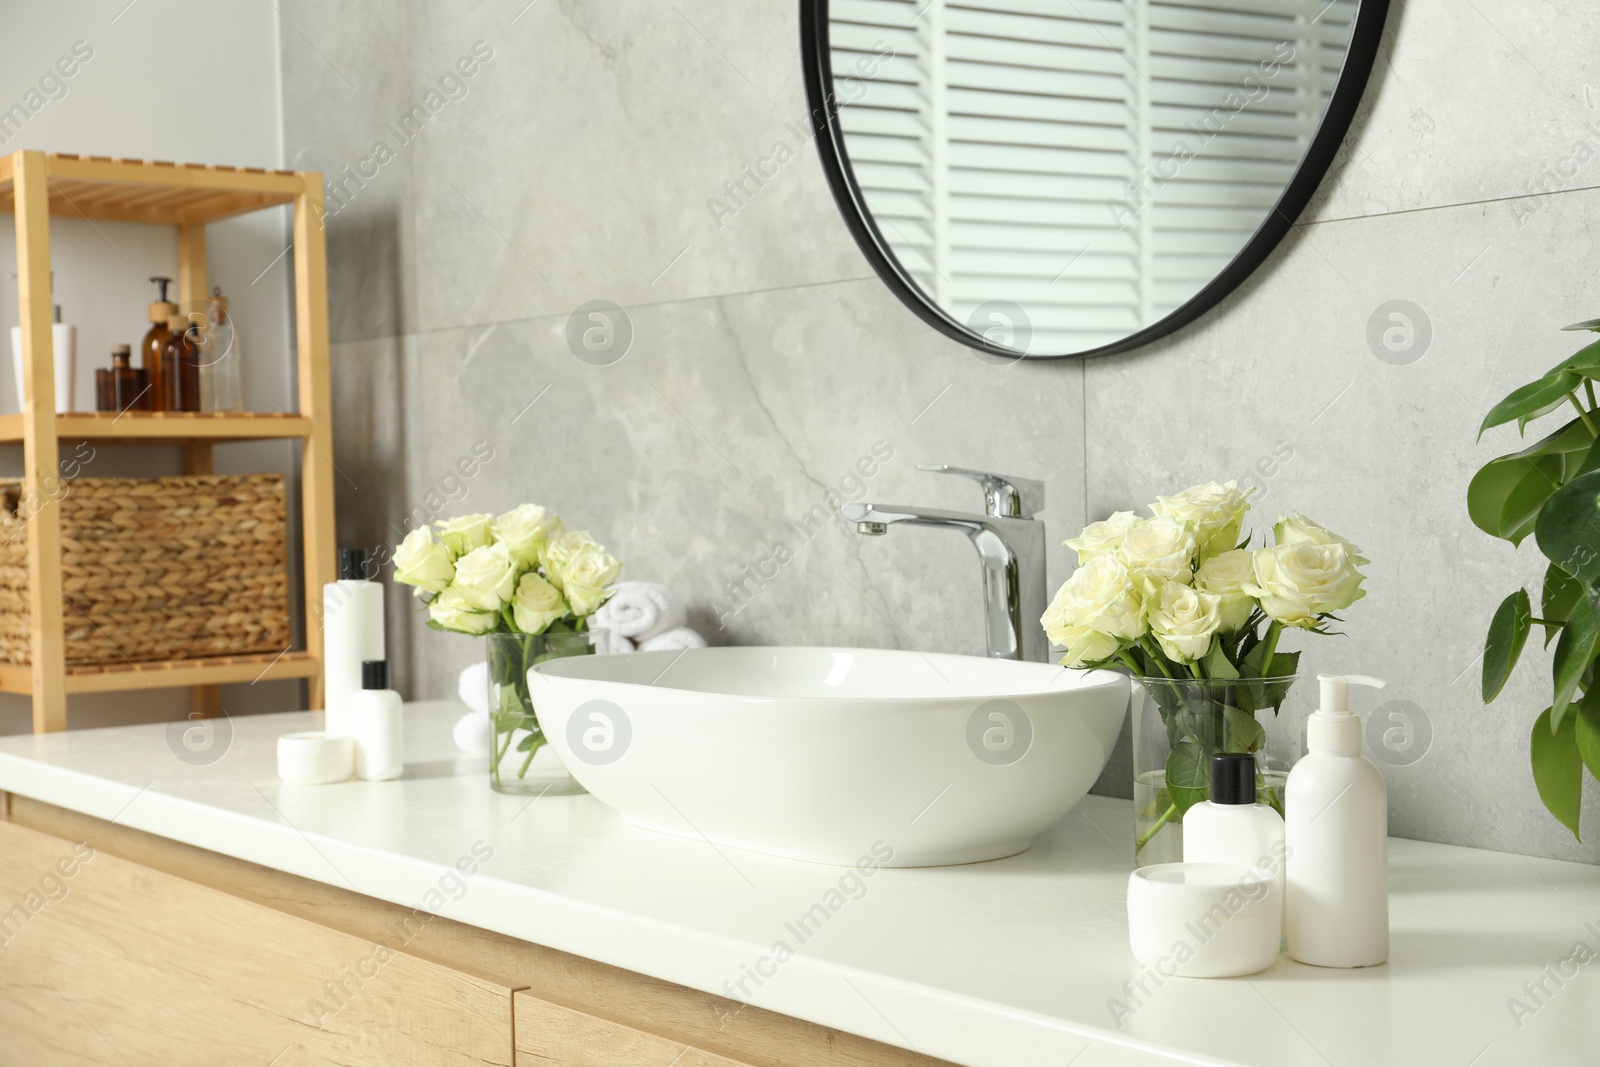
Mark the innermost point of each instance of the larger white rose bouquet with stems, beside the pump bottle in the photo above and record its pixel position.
(1196, 615)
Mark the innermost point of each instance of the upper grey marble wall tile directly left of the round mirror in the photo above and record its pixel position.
(593, 150)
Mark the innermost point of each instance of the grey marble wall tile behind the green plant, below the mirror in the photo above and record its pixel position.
(1378, 444)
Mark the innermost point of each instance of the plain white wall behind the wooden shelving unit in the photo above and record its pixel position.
(180, 81)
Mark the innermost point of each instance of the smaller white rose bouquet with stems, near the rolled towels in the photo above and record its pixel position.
(524, 581)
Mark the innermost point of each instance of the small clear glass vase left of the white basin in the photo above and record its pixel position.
(521, 762)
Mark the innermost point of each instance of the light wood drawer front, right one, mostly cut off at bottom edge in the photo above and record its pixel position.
(553, 1036)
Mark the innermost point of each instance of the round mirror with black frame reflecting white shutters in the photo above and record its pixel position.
(1055, 178)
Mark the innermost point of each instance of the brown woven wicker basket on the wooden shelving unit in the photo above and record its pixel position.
(158, 569)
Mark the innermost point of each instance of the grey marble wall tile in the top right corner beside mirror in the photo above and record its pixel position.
(1473, 102)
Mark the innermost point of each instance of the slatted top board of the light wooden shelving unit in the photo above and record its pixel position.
(142, 191)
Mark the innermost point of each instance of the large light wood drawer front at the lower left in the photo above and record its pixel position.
(108, 962)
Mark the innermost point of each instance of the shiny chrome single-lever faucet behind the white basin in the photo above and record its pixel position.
(1010, 548)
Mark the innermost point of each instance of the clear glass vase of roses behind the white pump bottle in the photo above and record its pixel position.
(1177, 727)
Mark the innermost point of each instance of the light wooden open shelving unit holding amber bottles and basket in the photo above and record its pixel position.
(36, 186)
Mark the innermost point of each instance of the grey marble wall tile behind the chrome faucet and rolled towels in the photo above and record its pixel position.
(711, 444)
